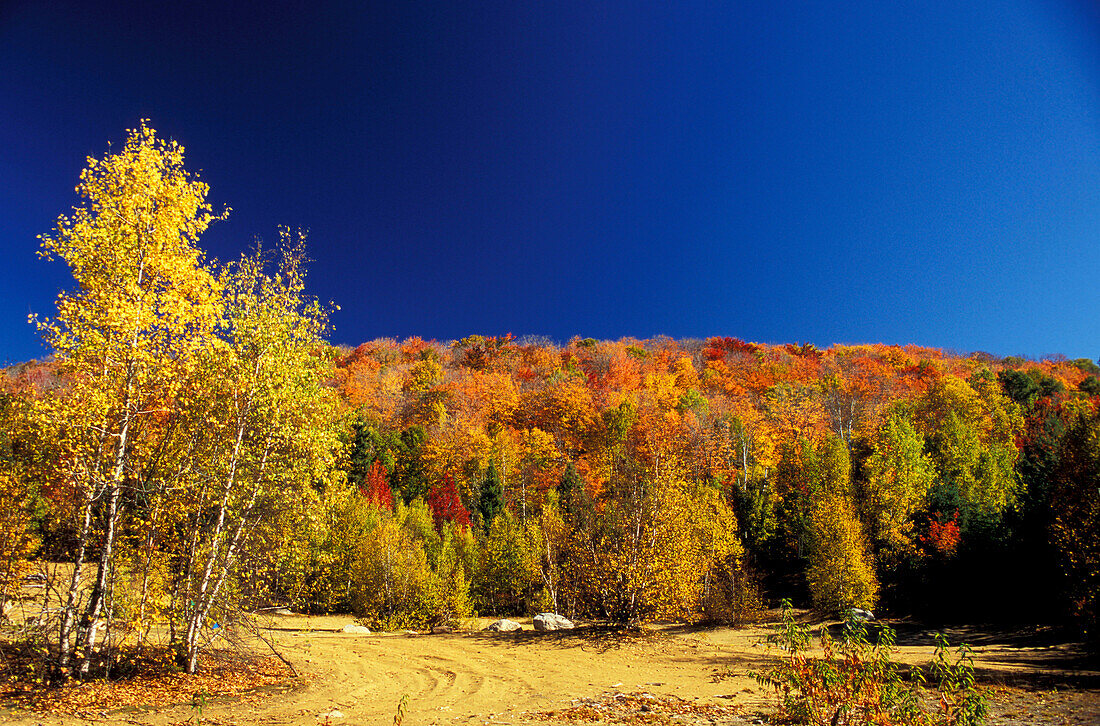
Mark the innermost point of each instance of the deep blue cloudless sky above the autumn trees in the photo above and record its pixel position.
(824, 172)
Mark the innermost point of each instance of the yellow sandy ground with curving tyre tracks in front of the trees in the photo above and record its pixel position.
(669, 675)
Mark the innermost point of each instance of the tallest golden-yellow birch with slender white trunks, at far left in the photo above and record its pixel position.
(125, 340)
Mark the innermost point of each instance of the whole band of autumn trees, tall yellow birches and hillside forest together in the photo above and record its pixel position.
(197, 450)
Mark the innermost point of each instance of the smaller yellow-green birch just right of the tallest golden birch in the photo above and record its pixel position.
(271, 417)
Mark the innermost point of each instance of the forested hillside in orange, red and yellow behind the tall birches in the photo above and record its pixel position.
(640, 479)
